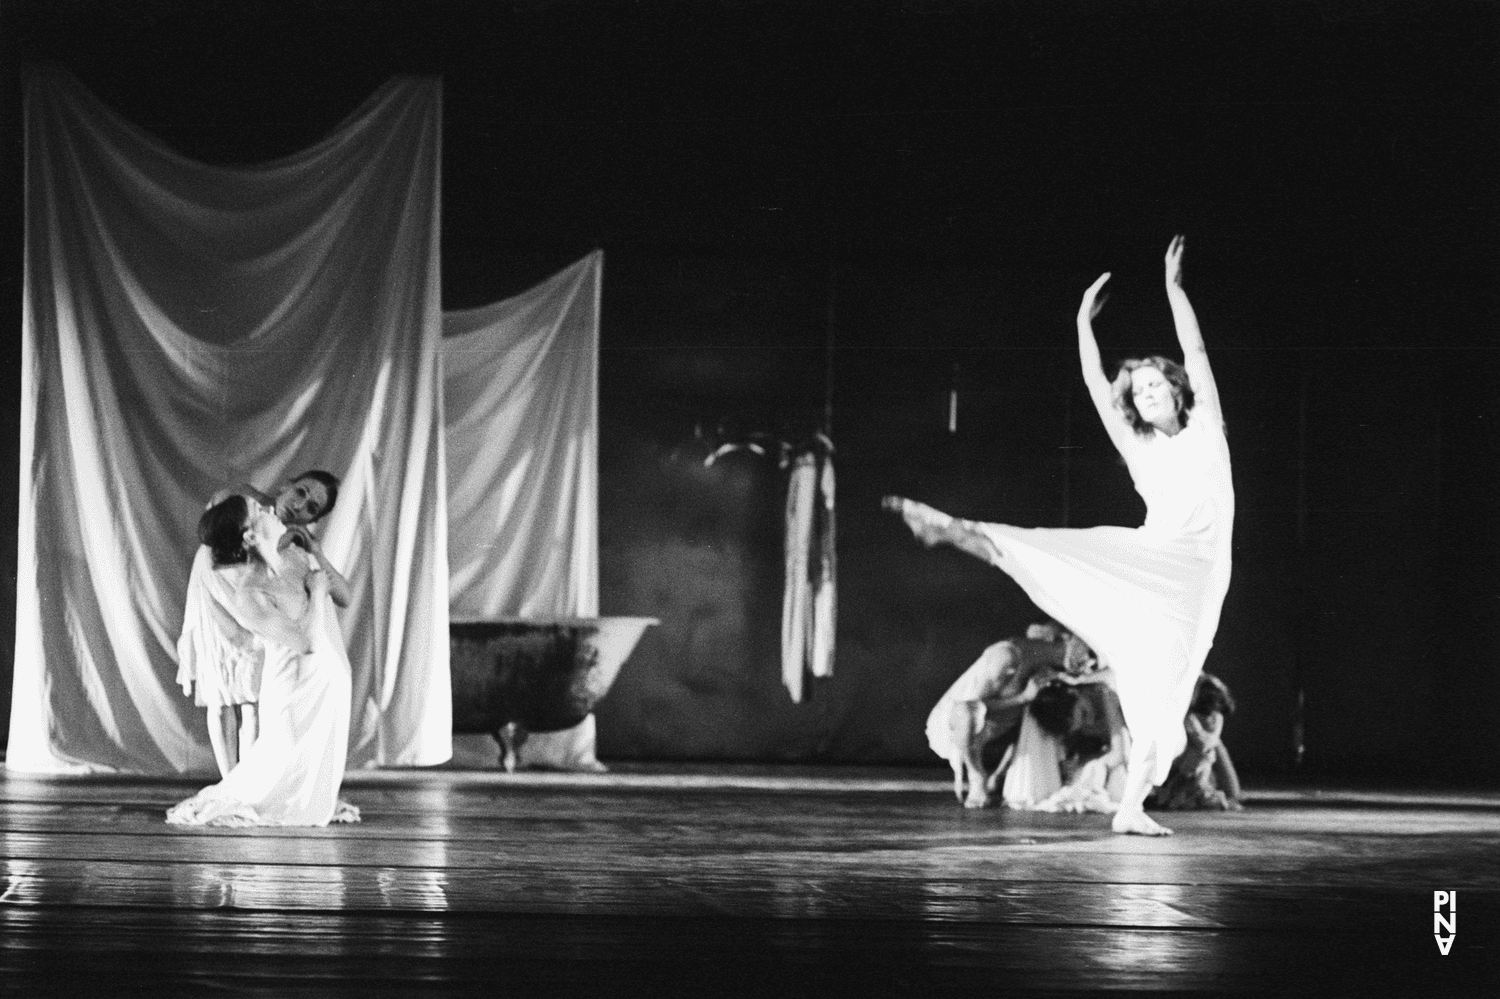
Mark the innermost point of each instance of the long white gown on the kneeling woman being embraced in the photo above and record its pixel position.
(292, 776)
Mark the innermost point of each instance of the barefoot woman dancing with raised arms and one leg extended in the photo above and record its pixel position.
(1147, 599)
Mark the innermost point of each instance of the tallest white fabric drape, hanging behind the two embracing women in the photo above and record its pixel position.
(191, 326)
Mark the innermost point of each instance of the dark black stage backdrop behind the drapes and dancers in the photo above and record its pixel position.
(932, 187)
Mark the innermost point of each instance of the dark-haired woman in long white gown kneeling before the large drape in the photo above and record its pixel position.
(280, 593)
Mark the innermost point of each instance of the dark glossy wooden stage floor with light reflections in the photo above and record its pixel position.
(665, 883)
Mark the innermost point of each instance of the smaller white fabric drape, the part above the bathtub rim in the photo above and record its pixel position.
(521, 398)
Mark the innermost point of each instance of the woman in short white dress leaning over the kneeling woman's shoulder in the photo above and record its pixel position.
(218, 662)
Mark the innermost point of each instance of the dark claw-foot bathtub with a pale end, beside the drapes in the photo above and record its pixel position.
(512, 676)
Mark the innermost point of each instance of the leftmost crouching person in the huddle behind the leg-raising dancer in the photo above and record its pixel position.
(983, 709)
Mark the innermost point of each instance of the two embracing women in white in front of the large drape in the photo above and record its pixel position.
(263, 653)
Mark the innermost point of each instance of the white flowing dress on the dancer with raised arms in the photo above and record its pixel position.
(1147, 599)
